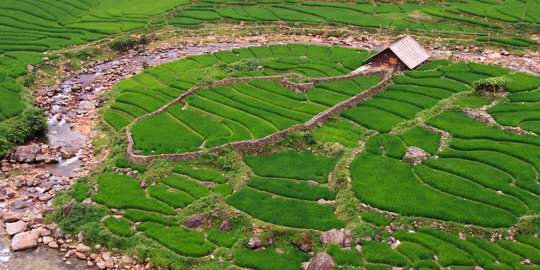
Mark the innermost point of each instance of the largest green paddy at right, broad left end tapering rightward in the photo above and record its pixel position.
(387, 183)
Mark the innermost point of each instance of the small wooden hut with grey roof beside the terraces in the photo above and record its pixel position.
(402, 55)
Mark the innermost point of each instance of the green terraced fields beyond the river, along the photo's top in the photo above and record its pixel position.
(29, 28)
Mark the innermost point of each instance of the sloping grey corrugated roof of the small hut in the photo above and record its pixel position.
(408, 51)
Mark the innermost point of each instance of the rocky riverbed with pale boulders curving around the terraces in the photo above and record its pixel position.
(53, 163)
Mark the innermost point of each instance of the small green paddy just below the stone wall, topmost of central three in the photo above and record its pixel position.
(292, 164)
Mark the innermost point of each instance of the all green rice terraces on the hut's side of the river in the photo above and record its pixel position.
(479, 180)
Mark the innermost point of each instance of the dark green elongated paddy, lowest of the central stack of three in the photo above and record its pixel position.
(286, 212)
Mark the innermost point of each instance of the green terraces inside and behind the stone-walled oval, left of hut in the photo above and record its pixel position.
(235, 112)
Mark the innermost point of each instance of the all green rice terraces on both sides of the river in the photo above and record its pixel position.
(474, 202)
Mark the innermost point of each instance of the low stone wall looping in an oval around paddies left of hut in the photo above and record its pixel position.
(259, 143)
